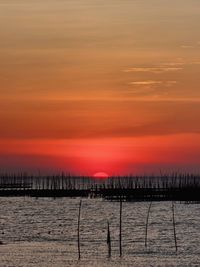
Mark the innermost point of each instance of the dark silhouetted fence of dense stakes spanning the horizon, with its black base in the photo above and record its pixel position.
(177, 187)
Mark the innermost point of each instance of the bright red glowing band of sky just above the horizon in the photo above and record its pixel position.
(113, 156)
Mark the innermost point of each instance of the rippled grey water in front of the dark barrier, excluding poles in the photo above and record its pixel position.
(43, 232)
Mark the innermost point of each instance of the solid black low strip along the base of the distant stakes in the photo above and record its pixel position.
(162, 194)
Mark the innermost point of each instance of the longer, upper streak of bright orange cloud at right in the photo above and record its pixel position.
(154, 69)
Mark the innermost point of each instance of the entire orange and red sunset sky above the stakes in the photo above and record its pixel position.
(100, 86)
